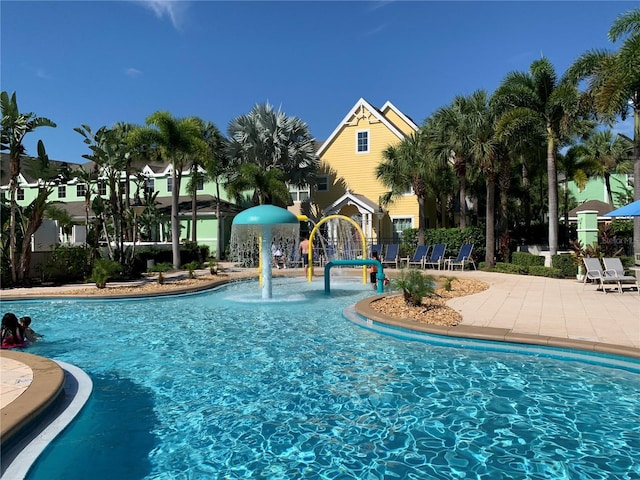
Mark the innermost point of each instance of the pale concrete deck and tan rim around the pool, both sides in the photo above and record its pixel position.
(515, 308)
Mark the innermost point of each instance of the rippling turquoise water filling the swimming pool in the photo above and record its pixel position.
(224, 385)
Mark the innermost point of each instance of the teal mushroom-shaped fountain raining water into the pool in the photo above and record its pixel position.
(266, 228)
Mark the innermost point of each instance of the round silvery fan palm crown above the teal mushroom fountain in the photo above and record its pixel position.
(270, 140)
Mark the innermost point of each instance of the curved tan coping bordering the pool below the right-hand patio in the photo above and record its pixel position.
(363, 308)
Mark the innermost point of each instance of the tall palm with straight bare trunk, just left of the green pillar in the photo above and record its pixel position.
(541, 102)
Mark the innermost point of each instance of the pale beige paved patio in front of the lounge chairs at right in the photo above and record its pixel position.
(552, 307)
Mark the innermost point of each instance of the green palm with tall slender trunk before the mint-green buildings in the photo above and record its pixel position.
(174, 138)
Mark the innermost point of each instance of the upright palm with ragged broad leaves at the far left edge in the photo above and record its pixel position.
(15, 126)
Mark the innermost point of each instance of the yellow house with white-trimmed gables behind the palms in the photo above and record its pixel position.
(347, 183)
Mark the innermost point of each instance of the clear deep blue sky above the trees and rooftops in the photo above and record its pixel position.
(100, 62)
